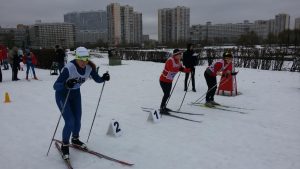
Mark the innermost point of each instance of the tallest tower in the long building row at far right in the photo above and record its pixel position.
(282, 23)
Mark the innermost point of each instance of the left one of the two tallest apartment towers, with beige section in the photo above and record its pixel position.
(124, 24)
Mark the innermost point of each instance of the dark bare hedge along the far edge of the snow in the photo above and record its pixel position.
(270, 58)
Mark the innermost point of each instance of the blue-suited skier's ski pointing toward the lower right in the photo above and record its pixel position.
(97, 154)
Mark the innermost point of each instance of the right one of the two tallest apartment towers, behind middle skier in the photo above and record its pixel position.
(173, 24)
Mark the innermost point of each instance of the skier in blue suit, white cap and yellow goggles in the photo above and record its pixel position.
(73, 75)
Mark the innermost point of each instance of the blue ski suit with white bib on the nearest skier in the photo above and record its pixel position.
(72, 112)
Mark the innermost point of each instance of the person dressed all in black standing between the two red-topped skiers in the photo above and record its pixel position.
(189, 61)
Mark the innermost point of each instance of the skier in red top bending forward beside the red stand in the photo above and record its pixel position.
(222, 68)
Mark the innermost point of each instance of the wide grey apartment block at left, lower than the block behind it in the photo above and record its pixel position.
(47, 35)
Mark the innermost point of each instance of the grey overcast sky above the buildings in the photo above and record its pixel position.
(13, 12)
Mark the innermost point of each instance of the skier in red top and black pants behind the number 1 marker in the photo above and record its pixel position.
(172, 67)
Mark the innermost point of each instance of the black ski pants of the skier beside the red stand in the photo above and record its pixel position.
(211, 82)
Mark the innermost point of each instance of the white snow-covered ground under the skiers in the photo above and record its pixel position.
(268, 137)
